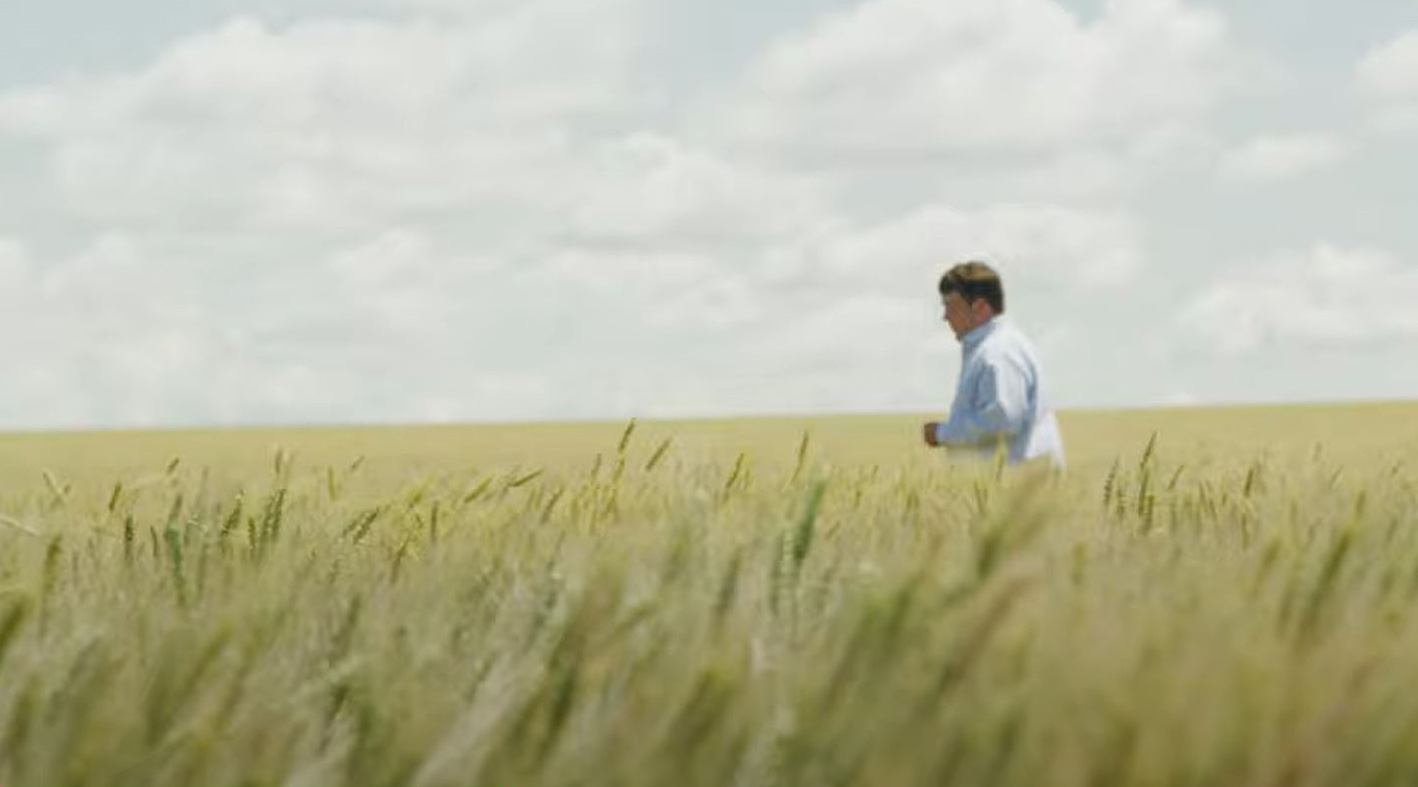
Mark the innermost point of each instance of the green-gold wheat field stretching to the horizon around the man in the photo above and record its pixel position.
(1205, 598)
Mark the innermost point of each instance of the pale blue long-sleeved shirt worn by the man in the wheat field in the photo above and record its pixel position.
(1000, 398)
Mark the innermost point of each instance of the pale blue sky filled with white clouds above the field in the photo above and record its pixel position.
(335, 212)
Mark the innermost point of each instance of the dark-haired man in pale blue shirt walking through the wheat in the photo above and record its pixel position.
(1000, 399)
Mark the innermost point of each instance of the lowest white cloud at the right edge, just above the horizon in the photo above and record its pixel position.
(1325, 297)
